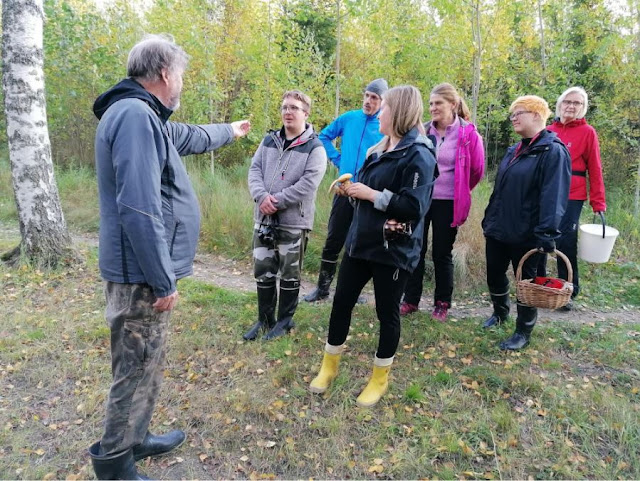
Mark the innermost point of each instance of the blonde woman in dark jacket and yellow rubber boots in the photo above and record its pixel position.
(385, 237)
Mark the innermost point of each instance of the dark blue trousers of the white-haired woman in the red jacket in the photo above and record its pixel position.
(567, 243)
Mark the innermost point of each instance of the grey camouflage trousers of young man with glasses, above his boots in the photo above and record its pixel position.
(283, 256)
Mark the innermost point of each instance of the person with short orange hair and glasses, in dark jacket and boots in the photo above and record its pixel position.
(525, 209)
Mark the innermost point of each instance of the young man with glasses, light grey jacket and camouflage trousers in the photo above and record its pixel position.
(284, 176)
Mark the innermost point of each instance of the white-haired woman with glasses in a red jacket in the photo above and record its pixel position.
(582, 141)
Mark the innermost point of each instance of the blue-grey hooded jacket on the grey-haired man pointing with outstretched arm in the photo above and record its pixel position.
(149, 213)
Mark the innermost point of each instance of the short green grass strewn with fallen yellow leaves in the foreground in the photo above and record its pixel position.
(457, 407)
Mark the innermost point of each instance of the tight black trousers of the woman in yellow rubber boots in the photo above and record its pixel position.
(388, 285)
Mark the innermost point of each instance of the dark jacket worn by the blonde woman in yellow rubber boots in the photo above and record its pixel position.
(405, 177)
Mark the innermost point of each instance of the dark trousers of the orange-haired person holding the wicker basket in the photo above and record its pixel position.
(499, 255)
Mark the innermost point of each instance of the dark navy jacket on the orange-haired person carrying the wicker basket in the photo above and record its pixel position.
(530, 193)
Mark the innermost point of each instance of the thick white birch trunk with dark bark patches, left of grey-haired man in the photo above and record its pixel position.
(45, 239)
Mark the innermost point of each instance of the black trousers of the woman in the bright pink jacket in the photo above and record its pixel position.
(440, 216)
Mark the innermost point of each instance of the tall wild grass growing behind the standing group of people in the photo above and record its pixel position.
(227, 226)
